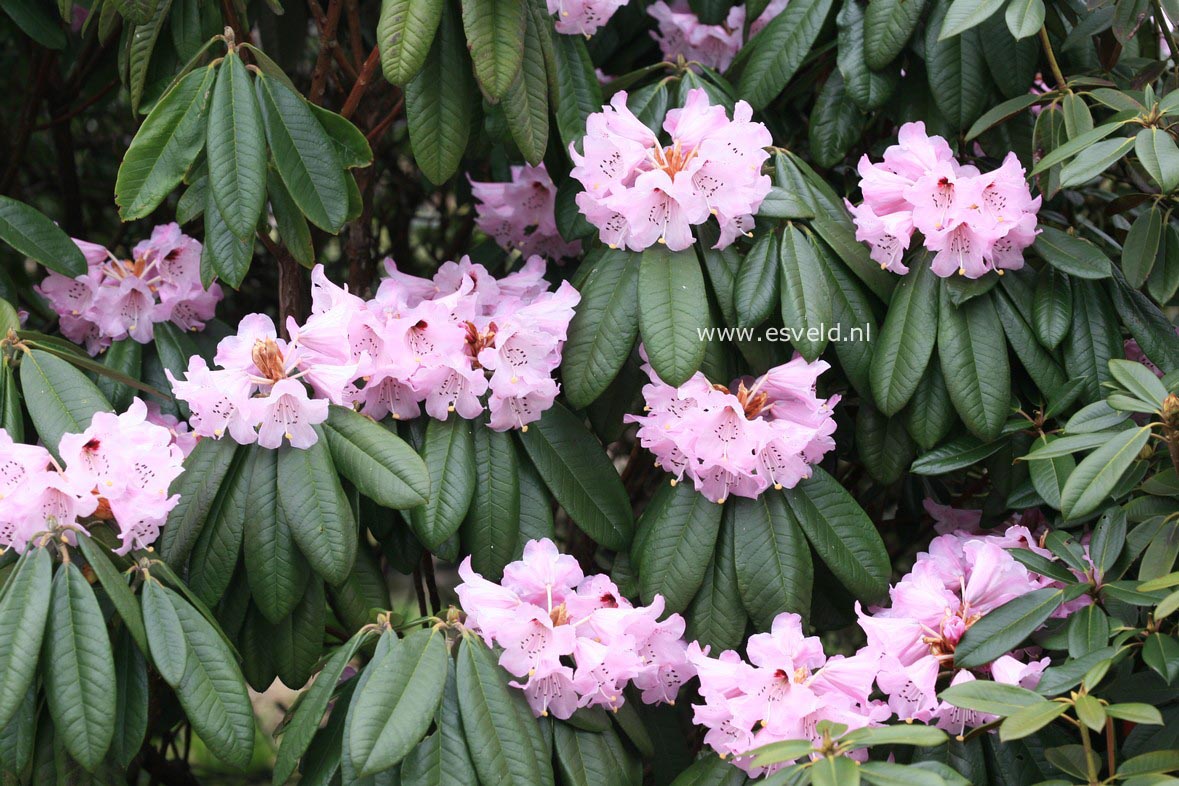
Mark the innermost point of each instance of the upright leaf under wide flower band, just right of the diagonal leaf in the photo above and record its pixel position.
(450, 455)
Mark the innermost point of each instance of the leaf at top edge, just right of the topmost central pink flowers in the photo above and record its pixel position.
(780, 49)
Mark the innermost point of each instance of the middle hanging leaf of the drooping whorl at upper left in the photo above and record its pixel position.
(238, 149)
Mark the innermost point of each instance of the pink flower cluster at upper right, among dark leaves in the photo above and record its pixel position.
(973, 222)
